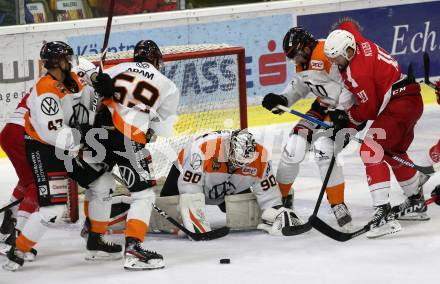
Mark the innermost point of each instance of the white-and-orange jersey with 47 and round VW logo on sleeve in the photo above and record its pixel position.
(51, 107)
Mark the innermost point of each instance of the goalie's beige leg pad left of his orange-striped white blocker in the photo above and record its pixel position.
(169, 204)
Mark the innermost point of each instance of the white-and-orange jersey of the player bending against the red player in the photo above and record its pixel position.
(322, 79)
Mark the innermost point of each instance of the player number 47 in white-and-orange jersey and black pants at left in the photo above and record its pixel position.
(53, 108)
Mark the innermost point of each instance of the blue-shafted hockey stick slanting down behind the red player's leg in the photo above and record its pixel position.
(428, 170)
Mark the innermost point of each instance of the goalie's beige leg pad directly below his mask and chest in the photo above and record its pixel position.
(242, 211)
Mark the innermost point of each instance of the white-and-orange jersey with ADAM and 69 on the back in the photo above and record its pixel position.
(143, 96)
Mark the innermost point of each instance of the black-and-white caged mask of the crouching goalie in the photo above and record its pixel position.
(242, 150)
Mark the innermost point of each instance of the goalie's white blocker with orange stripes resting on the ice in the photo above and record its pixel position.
(193, 211)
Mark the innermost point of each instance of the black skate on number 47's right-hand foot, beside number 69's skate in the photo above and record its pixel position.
(100, 249)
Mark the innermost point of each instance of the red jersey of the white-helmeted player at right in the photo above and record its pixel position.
(369, 76)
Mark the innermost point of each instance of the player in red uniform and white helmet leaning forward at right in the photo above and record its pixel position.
(394, 103)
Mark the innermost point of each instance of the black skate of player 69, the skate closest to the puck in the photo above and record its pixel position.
(138, 258)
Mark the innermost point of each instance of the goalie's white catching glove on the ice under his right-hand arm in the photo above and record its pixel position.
(275, 219)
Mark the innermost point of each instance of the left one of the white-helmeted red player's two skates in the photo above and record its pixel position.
(383, 223)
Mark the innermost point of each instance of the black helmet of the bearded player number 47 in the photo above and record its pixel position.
(52, 51)
